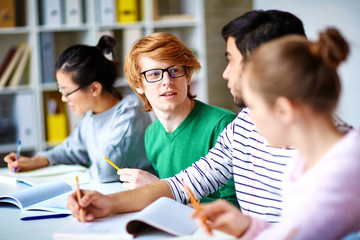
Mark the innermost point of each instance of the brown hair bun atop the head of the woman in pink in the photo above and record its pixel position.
(331, 47)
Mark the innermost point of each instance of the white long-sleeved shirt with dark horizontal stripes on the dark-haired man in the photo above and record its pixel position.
(259, 170)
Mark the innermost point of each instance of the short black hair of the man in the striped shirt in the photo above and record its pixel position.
(258, 26)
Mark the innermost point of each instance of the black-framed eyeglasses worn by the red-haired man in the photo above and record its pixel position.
(156, 74)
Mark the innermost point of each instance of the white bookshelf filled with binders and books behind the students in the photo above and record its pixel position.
(184, 18)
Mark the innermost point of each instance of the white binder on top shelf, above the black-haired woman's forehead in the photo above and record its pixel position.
(73, 12)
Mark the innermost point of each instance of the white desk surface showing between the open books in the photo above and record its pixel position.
(12, 228)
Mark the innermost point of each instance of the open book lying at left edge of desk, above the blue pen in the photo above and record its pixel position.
(47, 200)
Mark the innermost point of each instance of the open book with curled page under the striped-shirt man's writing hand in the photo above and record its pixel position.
(164, 214)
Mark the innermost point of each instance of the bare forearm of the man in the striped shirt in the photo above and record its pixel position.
(137, 199)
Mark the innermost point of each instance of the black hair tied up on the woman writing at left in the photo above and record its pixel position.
(87, 64)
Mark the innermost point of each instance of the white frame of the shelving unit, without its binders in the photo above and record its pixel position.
(191, 30)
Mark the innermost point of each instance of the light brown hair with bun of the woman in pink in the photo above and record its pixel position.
(303, 71)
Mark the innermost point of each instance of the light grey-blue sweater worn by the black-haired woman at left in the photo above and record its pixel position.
(117, 134)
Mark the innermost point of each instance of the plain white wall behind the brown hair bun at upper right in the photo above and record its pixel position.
(344, 15)
